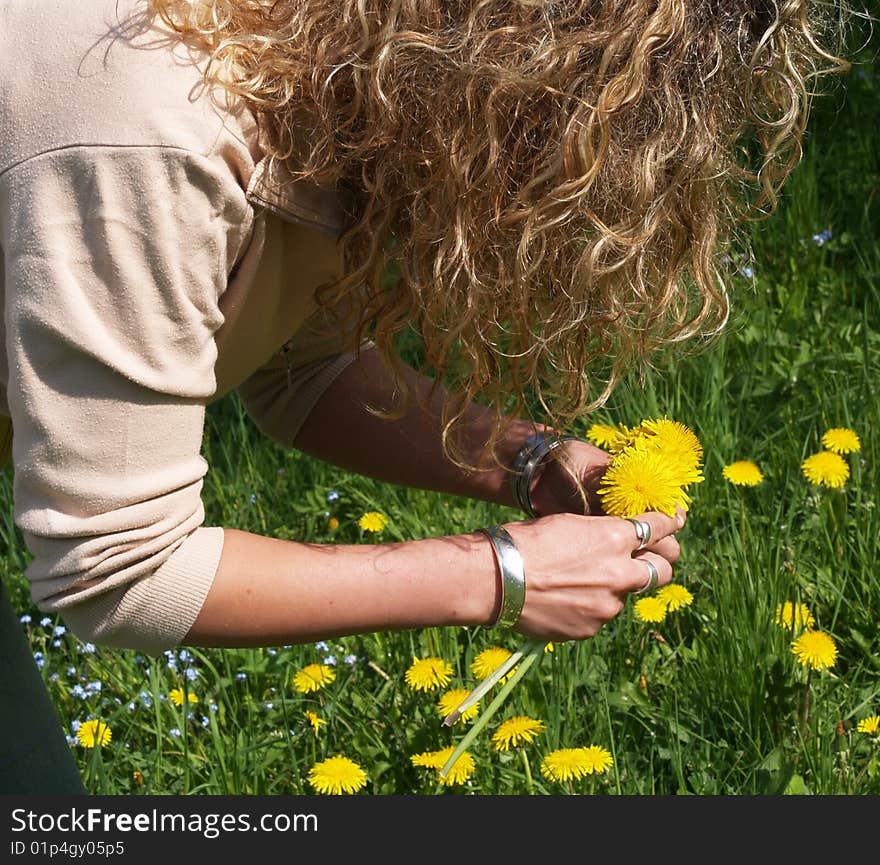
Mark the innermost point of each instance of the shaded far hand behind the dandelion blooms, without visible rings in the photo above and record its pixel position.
(554, 491)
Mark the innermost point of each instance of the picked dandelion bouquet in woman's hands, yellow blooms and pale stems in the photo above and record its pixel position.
(652, 466)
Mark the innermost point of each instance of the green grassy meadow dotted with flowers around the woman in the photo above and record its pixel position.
(711, 699)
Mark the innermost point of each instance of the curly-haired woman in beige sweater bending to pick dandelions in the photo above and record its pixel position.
(201, 197)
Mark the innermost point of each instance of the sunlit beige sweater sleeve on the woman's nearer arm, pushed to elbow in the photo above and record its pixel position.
(115, 260)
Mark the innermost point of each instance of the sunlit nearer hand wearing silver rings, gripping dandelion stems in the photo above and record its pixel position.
(580, 570)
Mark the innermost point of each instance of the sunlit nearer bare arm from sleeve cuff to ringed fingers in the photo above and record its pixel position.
(579, 572)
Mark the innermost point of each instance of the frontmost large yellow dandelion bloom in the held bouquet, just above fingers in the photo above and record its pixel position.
(641, 479)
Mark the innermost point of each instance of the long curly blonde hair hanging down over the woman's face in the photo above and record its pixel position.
(554, 184)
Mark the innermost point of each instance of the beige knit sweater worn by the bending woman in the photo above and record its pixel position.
(151, 263)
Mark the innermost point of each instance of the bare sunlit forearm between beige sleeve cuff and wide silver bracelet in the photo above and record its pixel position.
(274, 592)
